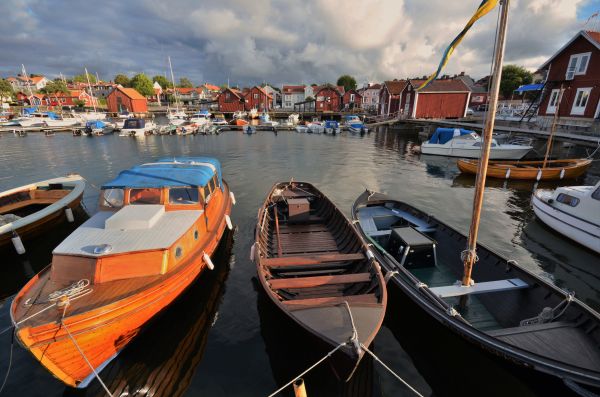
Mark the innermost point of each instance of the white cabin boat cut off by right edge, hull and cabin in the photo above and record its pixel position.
(573, 211)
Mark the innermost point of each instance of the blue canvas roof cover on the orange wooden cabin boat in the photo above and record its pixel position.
(168, 172)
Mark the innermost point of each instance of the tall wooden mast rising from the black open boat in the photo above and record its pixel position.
(469, 256)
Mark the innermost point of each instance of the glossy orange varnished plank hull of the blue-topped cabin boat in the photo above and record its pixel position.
(101, 333)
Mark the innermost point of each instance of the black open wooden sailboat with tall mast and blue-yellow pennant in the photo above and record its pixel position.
(502, 310)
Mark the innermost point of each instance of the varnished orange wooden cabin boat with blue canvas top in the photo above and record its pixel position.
(157, 227)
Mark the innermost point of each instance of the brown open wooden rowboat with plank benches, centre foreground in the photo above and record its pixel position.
(318, 271)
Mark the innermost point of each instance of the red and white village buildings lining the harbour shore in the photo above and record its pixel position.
(575, 66)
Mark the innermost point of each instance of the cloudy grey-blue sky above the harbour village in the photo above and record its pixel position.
(310, 41)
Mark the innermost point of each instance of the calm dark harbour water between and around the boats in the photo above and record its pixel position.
(222, 338)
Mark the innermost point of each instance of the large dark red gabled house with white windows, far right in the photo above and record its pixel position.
(575, 67)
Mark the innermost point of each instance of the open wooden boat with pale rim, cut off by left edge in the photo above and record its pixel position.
(35, 208)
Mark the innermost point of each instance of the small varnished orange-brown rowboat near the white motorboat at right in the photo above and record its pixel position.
(531, 170)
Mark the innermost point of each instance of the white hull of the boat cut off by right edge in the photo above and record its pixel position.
(577, 229)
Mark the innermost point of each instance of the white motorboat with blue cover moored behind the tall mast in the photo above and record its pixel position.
(456, 142)
